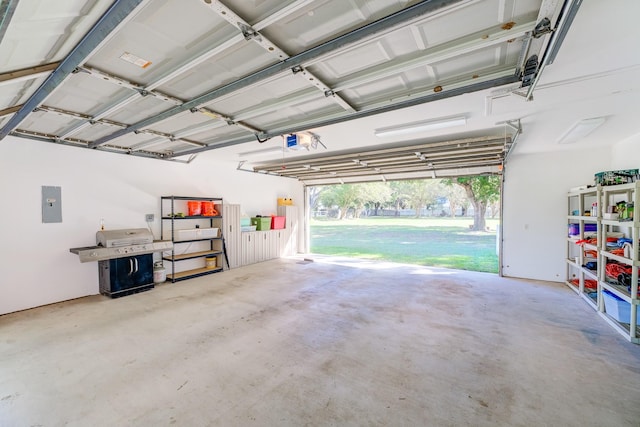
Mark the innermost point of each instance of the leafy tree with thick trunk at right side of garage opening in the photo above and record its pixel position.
(481, 190)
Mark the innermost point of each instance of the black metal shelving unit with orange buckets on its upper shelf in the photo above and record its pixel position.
(189, 257)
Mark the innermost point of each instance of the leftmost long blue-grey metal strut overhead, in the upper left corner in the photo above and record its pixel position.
(117, 13)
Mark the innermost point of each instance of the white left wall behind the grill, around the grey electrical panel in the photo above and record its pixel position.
(36, 265)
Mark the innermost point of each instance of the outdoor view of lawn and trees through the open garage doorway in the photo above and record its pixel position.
(448, 223)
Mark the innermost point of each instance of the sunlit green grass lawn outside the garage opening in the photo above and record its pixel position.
(438, 242)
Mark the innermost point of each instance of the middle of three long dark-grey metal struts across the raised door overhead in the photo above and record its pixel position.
(383, 24)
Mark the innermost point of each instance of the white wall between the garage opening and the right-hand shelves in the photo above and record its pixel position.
(534, 222)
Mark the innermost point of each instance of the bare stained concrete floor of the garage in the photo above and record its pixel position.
(330, 342)
